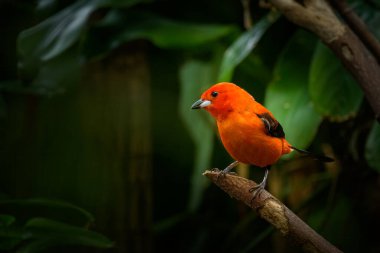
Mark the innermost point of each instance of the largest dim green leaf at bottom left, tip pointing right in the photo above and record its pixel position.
(51, 233)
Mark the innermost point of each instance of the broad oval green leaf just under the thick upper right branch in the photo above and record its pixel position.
(334, 92)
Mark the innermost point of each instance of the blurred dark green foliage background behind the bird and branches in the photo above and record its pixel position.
(90, 88)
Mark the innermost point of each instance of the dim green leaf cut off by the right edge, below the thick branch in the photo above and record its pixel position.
(372, 148)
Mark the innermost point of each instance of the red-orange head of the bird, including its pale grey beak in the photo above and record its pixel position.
(223, 98)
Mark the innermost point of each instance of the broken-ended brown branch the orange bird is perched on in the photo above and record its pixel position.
(273, 211)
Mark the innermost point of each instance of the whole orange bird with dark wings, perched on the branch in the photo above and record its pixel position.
(248, 130)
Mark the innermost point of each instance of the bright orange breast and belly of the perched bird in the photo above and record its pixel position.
(245, 139)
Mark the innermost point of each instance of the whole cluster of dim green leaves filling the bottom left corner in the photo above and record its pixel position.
(35, 230)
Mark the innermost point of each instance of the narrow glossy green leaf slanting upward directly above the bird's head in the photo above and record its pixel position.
(243, 46)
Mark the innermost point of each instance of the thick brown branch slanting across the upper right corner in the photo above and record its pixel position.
(319, 17)
